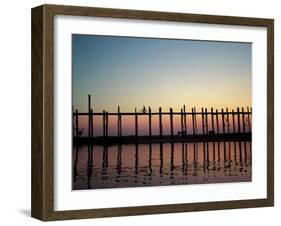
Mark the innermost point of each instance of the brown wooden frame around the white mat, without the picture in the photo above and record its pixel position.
(42, 112)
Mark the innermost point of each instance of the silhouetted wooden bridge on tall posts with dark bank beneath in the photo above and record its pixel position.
(238, 120)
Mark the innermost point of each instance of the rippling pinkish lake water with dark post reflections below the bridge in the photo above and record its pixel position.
(117, 166)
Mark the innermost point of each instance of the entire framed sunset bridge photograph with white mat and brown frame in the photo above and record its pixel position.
(141, 112)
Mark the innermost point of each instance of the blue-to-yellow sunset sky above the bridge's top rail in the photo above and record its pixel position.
(135, 72)
